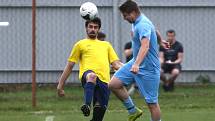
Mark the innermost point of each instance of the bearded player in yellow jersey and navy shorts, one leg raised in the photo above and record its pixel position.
(94, 57)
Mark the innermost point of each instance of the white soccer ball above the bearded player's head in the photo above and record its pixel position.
(88, 10)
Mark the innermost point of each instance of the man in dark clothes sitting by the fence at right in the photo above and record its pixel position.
(171, 61)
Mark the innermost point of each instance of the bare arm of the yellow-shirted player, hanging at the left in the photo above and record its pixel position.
(61, 81)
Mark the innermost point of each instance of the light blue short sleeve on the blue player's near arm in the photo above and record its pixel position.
(144, 31)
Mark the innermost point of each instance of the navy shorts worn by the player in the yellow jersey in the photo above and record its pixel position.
(101, 92)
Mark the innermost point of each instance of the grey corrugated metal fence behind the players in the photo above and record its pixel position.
(59, 26)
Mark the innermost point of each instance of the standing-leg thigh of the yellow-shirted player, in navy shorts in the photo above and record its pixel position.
(101, 93)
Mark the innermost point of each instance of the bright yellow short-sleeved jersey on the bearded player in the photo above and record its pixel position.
(94, 55)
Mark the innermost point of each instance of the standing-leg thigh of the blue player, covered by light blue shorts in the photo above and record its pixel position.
(148, 85)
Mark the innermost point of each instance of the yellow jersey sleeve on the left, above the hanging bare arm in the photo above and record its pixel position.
(75, 54)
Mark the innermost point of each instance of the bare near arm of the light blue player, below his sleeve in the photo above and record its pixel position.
(141, 54)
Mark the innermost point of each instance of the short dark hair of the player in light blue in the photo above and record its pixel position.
(129, 6)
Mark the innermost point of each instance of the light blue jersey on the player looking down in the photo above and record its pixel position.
(143, 28)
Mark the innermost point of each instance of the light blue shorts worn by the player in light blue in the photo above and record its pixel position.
(147, 81)
